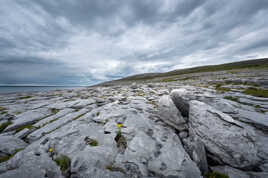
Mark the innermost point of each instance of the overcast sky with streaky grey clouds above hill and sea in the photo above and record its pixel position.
(84, 42)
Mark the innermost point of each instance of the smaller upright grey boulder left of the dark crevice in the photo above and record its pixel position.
(170, 114)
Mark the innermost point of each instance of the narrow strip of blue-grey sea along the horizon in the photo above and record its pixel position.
(16, 89)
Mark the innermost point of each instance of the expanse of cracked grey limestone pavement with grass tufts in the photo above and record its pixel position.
(159, 129)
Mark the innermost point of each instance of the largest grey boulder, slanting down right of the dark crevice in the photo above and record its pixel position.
(228, 141)
